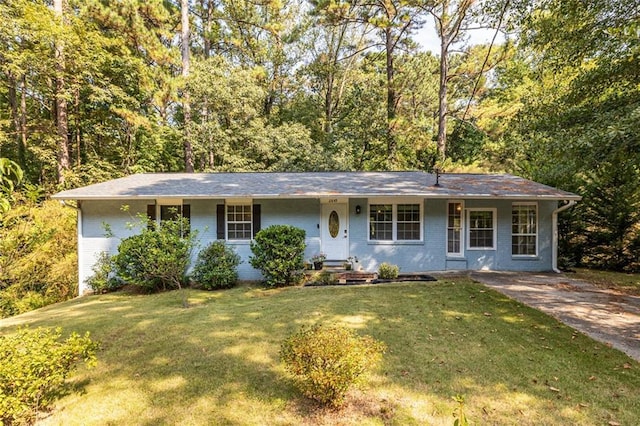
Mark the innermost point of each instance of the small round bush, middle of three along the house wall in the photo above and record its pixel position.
(217, 266)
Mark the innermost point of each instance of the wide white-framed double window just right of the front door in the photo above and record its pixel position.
(394, 222)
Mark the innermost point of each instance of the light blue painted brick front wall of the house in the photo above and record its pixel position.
(429, 254)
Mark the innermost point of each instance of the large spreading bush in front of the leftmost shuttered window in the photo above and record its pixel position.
(158, 257)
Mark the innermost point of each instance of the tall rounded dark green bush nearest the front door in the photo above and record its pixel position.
(278, 252)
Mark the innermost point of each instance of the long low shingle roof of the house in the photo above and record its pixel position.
(313, 185)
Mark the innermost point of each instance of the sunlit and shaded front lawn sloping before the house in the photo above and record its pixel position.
(217, 362)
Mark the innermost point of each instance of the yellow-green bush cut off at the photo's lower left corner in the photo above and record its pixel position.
(34, 367)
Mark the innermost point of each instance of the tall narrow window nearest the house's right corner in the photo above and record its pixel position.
(524, 229)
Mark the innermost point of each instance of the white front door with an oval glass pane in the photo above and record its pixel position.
(334, 231)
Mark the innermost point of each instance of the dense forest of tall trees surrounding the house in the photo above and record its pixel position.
(97, 89)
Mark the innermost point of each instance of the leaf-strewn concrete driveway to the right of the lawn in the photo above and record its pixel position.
(605, 315)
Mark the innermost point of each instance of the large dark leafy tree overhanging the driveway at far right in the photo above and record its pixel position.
(576, 82)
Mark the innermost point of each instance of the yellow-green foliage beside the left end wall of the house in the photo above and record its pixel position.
(38, 258)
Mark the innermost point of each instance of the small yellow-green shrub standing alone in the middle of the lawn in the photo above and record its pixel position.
(327, 360)
